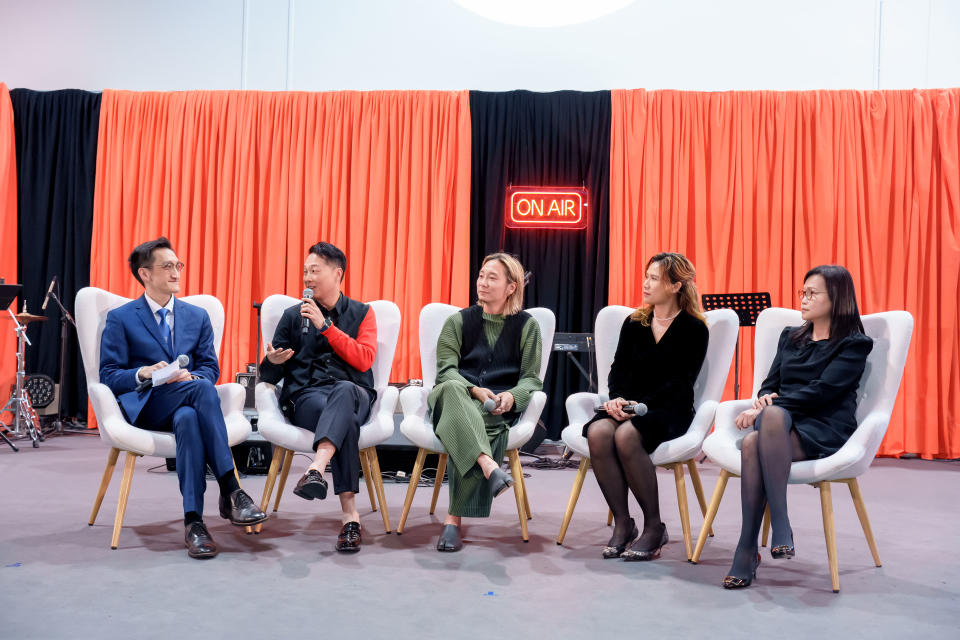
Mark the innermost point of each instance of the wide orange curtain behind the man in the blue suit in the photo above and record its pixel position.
(244, 182)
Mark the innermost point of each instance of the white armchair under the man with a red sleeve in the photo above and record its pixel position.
(288, 438)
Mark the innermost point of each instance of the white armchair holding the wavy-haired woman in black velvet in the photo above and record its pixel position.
(673, 454)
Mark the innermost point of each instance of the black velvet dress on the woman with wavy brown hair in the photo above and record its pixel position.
(659, 374)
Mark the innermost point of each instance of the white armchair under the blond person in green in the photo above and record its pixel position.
(419, 430)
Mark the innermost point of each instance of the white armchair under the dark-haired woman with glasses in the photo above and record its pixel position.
(891, 332)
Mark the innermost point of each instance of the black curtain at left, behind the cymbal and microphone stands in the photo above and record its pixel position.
(56, 140)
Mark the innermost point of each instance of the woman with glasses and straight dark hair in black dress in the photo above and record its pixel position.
(805, 410)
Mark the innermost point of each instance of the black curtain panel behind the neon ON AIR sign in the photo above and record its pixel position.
(546, 139)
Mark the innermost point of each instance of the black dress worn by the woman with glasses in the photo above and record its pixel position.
(816, 382)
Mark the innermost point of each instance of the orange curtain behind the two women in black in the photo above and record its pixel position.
(757, 187)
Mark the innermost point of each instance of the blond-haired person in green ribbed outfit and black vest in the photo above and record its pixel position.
(488, 365)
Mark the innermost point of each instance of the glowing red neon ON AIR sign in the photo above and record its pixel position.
(546, 208)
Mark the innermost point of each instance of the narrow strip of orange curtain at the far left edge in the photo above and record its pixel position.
(8, 238)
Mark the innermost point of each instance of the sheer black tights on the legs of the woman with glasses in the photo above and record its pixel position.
(764, 468)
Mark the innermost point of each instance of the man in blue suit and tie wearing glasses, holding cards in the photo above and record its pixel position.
(140, 338)
